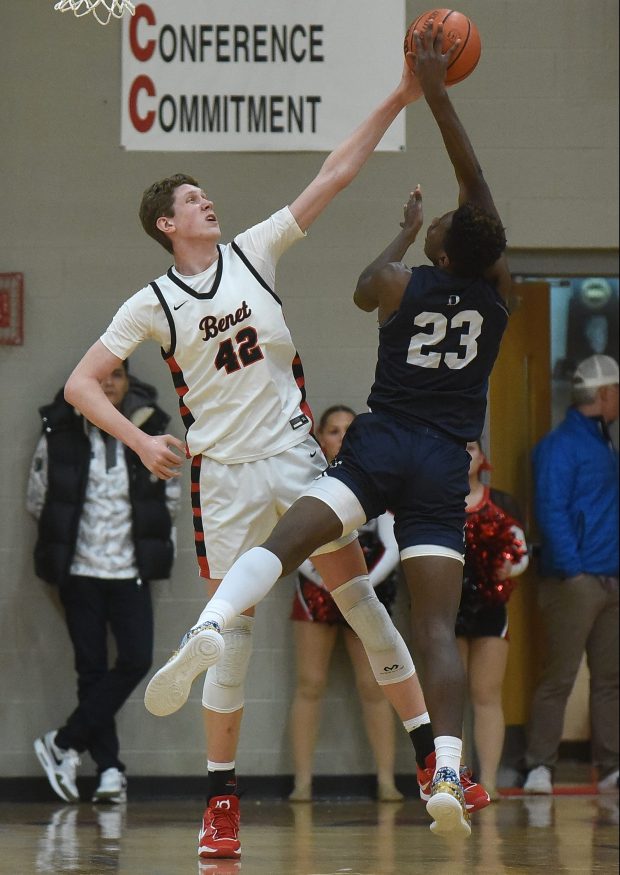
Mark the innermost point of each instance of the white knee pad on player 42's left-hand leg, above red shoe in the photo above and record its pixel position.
(223, 689)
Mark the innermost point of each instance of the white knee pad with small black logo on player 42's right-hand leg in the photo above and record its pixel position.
(387, 653)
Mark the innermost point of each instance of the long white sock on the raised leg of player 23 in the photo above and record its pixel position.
(246, 584)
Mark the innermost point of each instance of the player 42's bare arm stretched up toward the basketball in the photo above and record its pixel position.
(343, 164)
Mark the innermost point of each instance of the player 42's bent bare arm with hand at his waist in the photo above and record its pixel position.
(83, 390)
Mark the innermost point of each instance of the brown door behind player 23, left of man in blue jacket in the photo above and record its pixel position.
(519, 415)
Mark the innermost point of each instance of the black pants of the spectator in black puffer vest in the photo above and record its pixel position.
(91, 607)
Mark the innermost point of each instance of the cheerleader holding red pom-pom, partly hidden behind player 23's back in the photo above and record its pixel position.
(495, 554)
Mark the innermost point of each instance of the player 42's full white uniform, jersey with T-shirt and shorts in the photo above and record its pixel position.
(240, 385)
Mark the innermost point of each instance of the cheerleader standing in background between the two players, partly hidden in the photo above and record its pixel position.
(317, 621)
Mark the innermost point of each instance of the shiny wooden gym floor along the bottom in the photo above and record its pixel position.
(551, 835)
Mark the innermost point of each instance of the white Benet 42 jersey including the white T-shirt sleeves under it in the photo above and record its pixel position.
(231, 355)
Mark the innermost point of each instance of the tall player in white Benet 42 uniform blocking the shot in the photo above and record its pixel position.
(219, 323)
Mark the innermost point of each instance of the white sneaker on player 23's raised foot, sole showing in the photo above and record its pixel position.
(169, 688)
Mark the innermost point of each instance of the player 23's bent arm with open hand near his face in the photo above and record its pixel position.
(383, 283)
